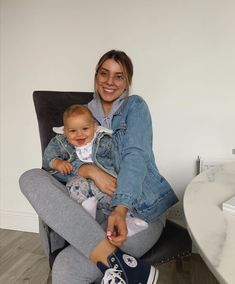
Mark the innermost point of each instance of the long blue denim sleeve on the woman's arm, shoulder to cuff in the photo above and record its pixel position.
(136, 153)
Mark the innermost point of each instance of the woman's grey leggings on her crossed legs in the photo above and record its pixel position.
(50, 200)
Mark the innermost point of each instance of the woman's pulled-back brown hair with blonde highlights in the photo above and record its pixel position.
(122, 59)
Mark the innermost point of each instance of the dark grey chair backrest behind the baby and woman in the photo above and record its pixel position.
(50, 105)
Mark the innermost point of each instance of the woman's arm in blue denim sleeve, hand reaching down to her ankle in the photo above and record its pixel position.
(136, 151)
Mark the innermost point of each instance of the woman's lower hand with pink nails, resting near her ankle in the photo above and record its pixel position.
(117, 229)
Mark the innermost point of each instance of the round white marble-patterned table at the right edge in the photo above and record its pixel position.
(211, 228)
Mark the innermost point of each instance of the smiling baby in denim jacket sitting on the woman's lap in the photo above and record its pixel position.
(81, 141)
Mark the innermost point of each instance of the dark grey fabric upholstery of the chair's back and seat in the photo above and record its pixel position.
(174, 242)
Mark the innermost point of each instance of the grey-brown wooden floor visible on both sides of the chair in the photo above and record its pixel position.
(22, 261)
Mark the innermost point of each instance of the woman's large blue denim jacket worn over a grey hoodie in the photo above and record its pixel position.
(140, 186)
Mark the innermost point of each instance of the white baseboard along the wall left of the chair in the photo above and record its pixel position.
(19, 221)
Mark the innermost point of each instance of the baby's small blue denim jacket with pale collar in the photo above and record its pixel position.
(103, 153)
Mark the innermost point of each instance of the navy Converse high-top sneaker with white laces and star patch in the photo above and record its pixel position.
(126, 269)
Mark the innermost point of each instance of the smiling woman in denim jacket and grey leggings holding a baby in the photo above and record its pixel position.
(101, 247)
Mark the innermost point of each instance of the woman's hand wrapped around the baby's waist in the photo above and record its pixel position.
(105, 182)
